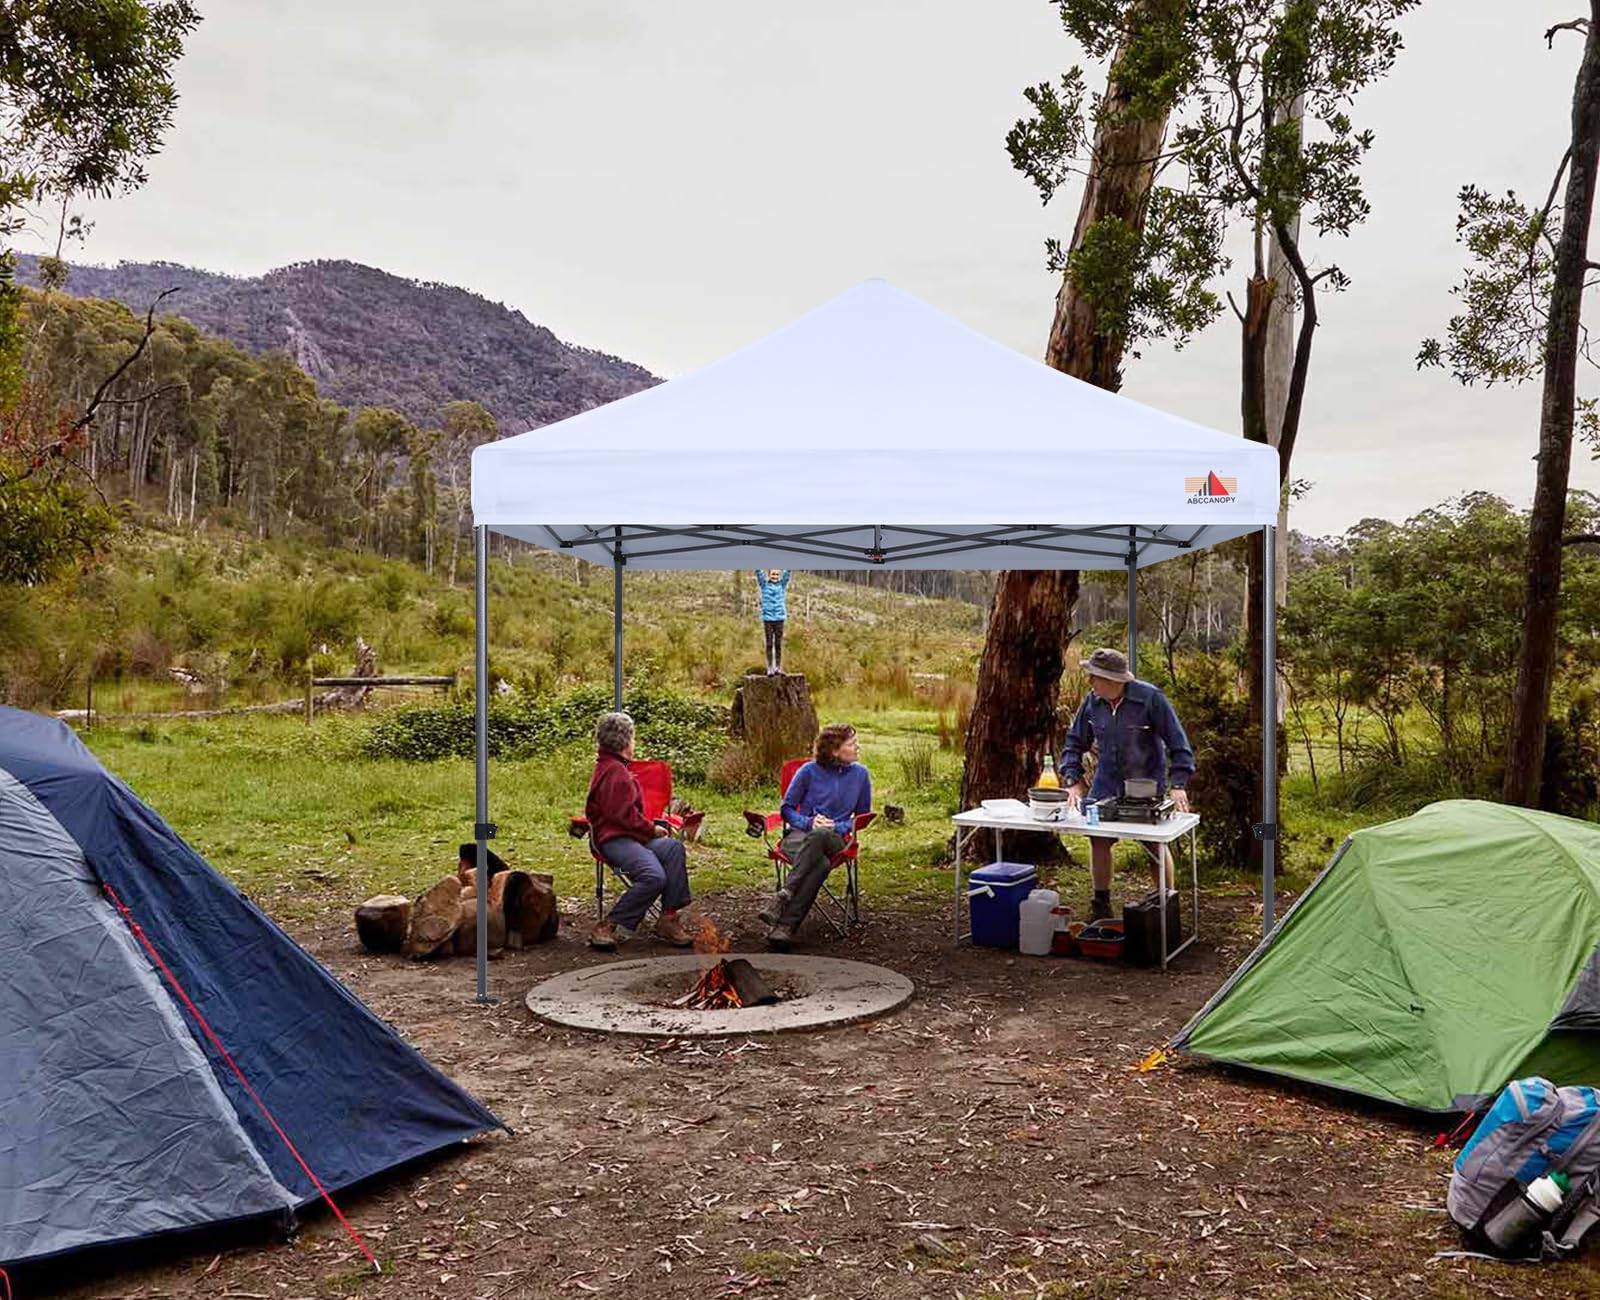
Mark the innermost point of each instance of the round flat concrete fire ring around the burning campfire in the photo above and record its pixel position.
(623, 998)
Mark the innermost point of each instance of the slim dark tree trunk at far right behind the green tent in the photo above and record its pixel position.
(1537, 660)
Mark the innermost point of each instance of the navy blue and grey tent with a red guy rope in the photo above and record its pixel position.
(122, 1117)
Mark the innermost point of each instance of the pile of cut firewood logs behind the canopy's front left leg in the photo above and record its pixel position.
(446, 918)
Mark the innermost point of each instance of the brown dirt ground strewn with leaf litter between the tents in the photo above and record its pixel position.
(991, 1139)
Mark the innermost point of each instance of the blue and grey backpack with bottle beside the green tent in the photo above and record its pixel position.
(1532, 1129)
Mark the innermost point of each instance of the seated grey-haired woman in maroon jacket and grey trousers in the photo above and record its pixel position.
(650, 862)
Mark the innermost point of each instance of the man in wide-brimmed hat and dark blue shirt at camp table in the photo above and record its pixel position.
(1135, 734)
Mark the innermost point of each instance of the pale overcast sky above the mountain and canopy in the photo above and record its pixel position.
(668, 180)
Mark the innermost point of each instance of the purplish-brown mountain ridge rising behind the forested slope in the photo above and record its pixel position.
(372, 339)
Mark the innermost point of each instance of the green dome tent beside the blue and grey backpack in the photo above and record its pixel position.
(1433, 961)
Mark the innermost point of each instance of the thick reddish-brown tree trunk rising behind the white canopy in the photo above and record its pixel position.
(1020, 675)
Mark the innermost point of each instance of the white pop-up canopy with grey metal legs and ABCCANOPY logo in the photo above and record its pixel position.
(871, 433)
